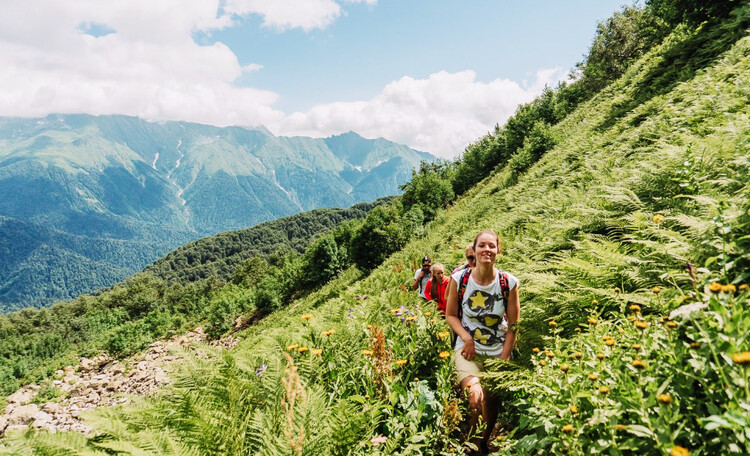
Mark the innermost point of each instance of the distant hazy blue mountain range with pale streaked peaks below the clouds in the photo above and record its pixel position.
(87, 200)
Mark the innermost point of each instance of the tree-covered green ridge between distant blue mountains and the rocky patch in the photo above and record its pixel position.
(182, 289)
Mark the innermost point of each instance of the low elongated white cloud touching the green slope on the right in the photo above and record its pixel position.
(441, 114)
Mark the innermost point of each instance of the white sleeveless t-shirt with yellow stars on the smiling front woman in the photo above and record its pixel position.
(484, 314)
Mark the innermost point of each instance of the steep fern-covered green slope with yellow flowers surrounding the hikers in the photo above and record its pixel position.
(622, 202)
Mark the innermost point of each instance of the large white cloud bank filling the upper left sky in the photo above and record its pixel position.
(149, 66)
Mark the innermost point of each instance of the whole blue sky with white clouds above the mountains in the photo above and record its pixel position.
(435, 75)
